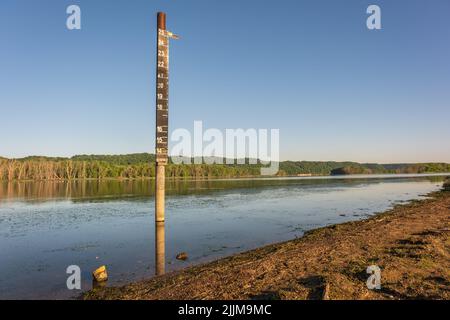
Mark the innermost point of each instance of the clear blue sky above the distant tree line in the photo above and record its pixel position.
(336, 90)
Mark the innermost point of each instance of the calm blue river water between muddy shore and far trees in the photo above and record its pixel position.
(47, 226)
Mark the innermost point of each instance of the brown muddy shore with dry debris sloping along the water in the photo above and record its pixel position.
(410, 243)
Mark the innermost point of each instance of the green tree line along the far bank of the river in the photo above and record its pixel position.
(141, 165)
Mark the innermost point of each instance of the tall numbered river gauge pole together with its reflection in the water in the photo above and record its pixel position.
(162, 129)
